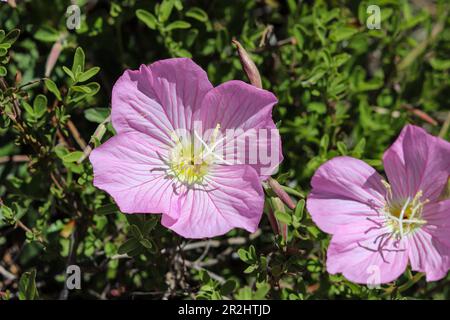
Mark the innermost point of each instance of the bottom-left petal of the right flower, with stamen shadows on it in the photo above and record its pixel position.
(354, 251)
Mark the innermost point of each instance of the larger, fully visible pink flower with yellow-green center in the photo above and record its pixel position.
(169, 155)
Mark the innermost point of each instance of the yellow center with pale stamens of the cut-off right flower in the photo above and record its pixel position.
(404, 216)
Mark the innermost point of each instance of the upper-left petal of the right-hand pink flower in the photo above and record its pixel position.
(344, 191)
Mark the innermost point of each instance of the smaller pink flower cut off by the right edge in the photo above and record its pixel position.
(376, 226)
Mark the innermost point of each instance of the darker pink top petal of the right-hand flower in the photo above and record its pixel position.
(417, 161)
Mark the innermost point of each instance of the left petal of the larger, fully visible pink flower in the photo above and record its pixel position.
(131, 168)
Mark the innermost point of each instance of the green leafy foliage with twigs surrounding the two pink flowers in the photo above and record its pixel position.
(343, 89)
